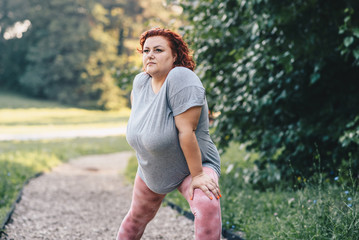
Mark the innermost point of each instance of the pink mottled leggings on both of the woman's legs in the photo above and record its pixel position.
(146, 203)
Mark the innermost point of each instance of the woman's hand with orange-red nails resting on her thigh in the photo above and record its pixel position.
(206, 184)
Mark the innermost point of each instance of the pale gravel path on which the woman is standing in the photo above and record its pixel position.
(86, 198)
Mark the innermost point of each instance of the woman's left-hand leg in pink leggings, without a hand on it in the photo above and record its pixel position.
(144, 207)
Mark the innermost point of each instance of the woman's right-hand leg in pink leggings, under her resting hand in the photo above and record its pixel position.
(207, 212)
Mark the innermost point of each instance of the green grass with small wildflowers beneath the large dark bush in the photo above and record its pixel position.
(319, 210)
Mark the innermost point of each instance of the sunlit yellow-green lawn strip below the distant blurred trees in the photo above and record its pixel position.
(21, 115)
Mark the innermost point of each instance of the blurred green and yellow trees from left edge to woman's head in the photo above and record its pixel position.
(75, 52)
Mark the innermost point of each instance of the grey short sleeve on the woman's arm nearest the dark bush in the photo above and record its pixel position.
(188, 97)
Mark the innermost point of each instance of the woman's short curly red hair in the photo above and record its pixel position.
(176, 43)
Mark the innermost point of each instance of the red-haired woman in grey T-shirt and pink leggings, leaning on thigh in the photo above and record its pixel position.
(168, 128)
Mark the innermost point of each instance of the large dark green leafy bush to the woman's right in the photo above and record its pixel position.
(284, 77)
